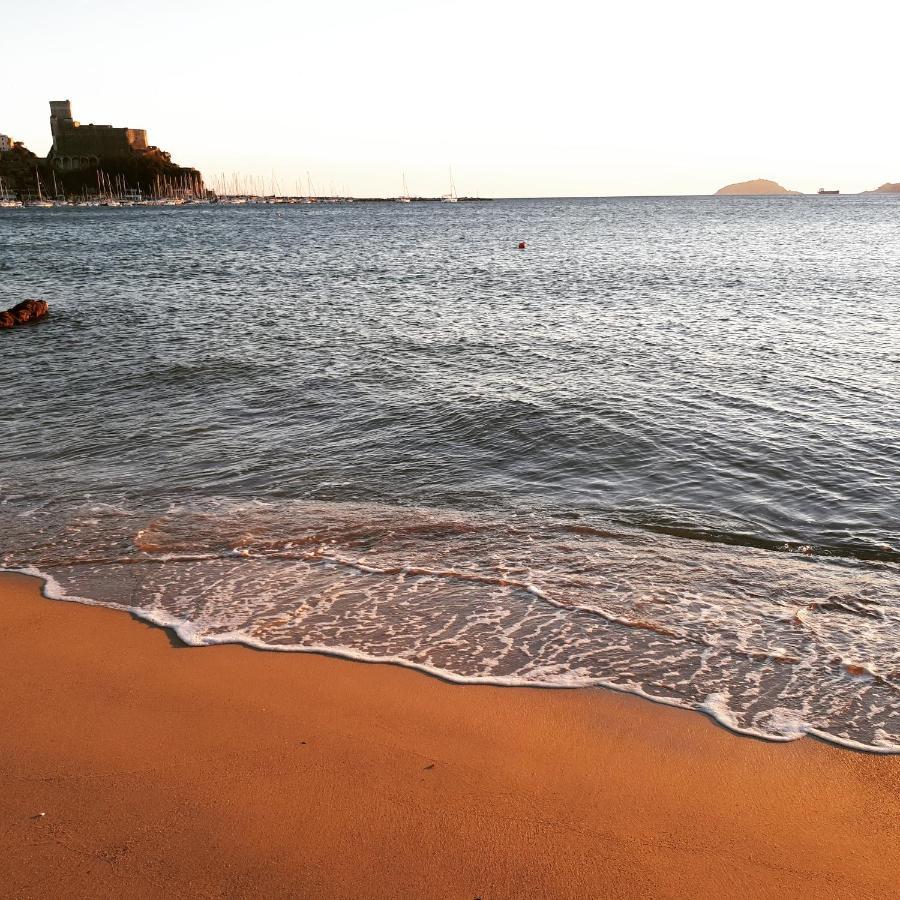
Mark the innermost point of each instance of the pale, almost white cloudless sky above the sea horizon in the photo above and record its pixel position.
(523, 99)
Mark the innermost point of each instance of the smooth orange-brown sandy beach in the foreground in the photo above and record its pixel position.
(164, 770)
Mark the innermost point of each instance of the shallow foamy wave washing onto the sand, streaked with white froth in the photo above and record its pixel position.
(770, 644)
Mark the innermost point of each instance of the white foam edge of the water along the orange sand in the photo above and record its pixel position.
(187, 632)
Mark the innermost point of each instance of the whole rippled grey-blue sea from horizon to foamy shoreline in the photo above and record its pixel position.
(657, 450)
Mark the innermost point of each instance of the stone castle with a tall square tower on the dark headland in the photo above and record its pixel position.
(77, 146)
